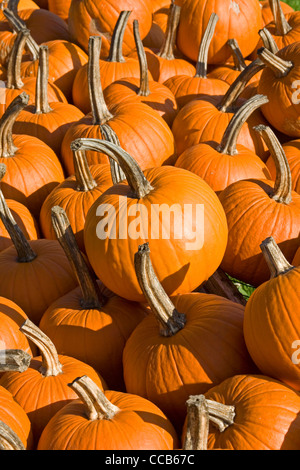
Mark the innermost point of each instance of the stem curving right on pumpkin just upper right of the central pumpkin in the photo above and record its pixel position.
(231, 134)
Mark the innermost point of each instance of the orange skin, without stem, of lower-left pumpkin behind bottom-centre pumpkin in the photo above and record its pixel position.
(50, 393)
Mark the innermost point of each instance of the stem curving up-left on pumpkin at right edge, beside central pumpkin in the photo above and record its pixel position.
(282, 192)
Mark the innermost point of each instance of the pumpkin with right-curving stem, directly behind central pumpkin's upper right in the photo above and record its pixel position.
(221, 164)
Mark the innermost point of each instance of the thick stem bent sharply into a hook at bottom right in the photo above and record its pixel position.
(200, 412)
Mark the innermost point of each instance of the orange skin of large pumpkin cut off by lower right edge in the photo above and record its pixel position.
(272, 325)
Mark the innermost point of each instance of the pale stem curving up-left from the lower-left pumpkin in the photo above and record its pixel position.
(51, 366)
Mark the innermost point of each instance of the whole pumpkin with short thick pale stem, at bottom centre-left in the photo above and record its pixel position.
(108, 421)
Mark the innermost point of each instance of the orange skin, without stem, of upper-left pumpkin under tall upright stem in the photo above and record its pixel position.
(49, 127)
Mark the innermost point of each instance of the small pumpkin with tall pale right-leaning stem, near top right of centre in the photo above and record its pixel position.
(185, 88)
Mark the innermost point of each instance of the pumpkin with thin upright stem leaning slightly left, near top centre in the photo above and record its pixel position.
(143, 90)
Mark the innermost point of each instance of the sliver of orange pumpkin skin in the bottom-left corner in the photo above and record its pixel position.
(13, 415)
